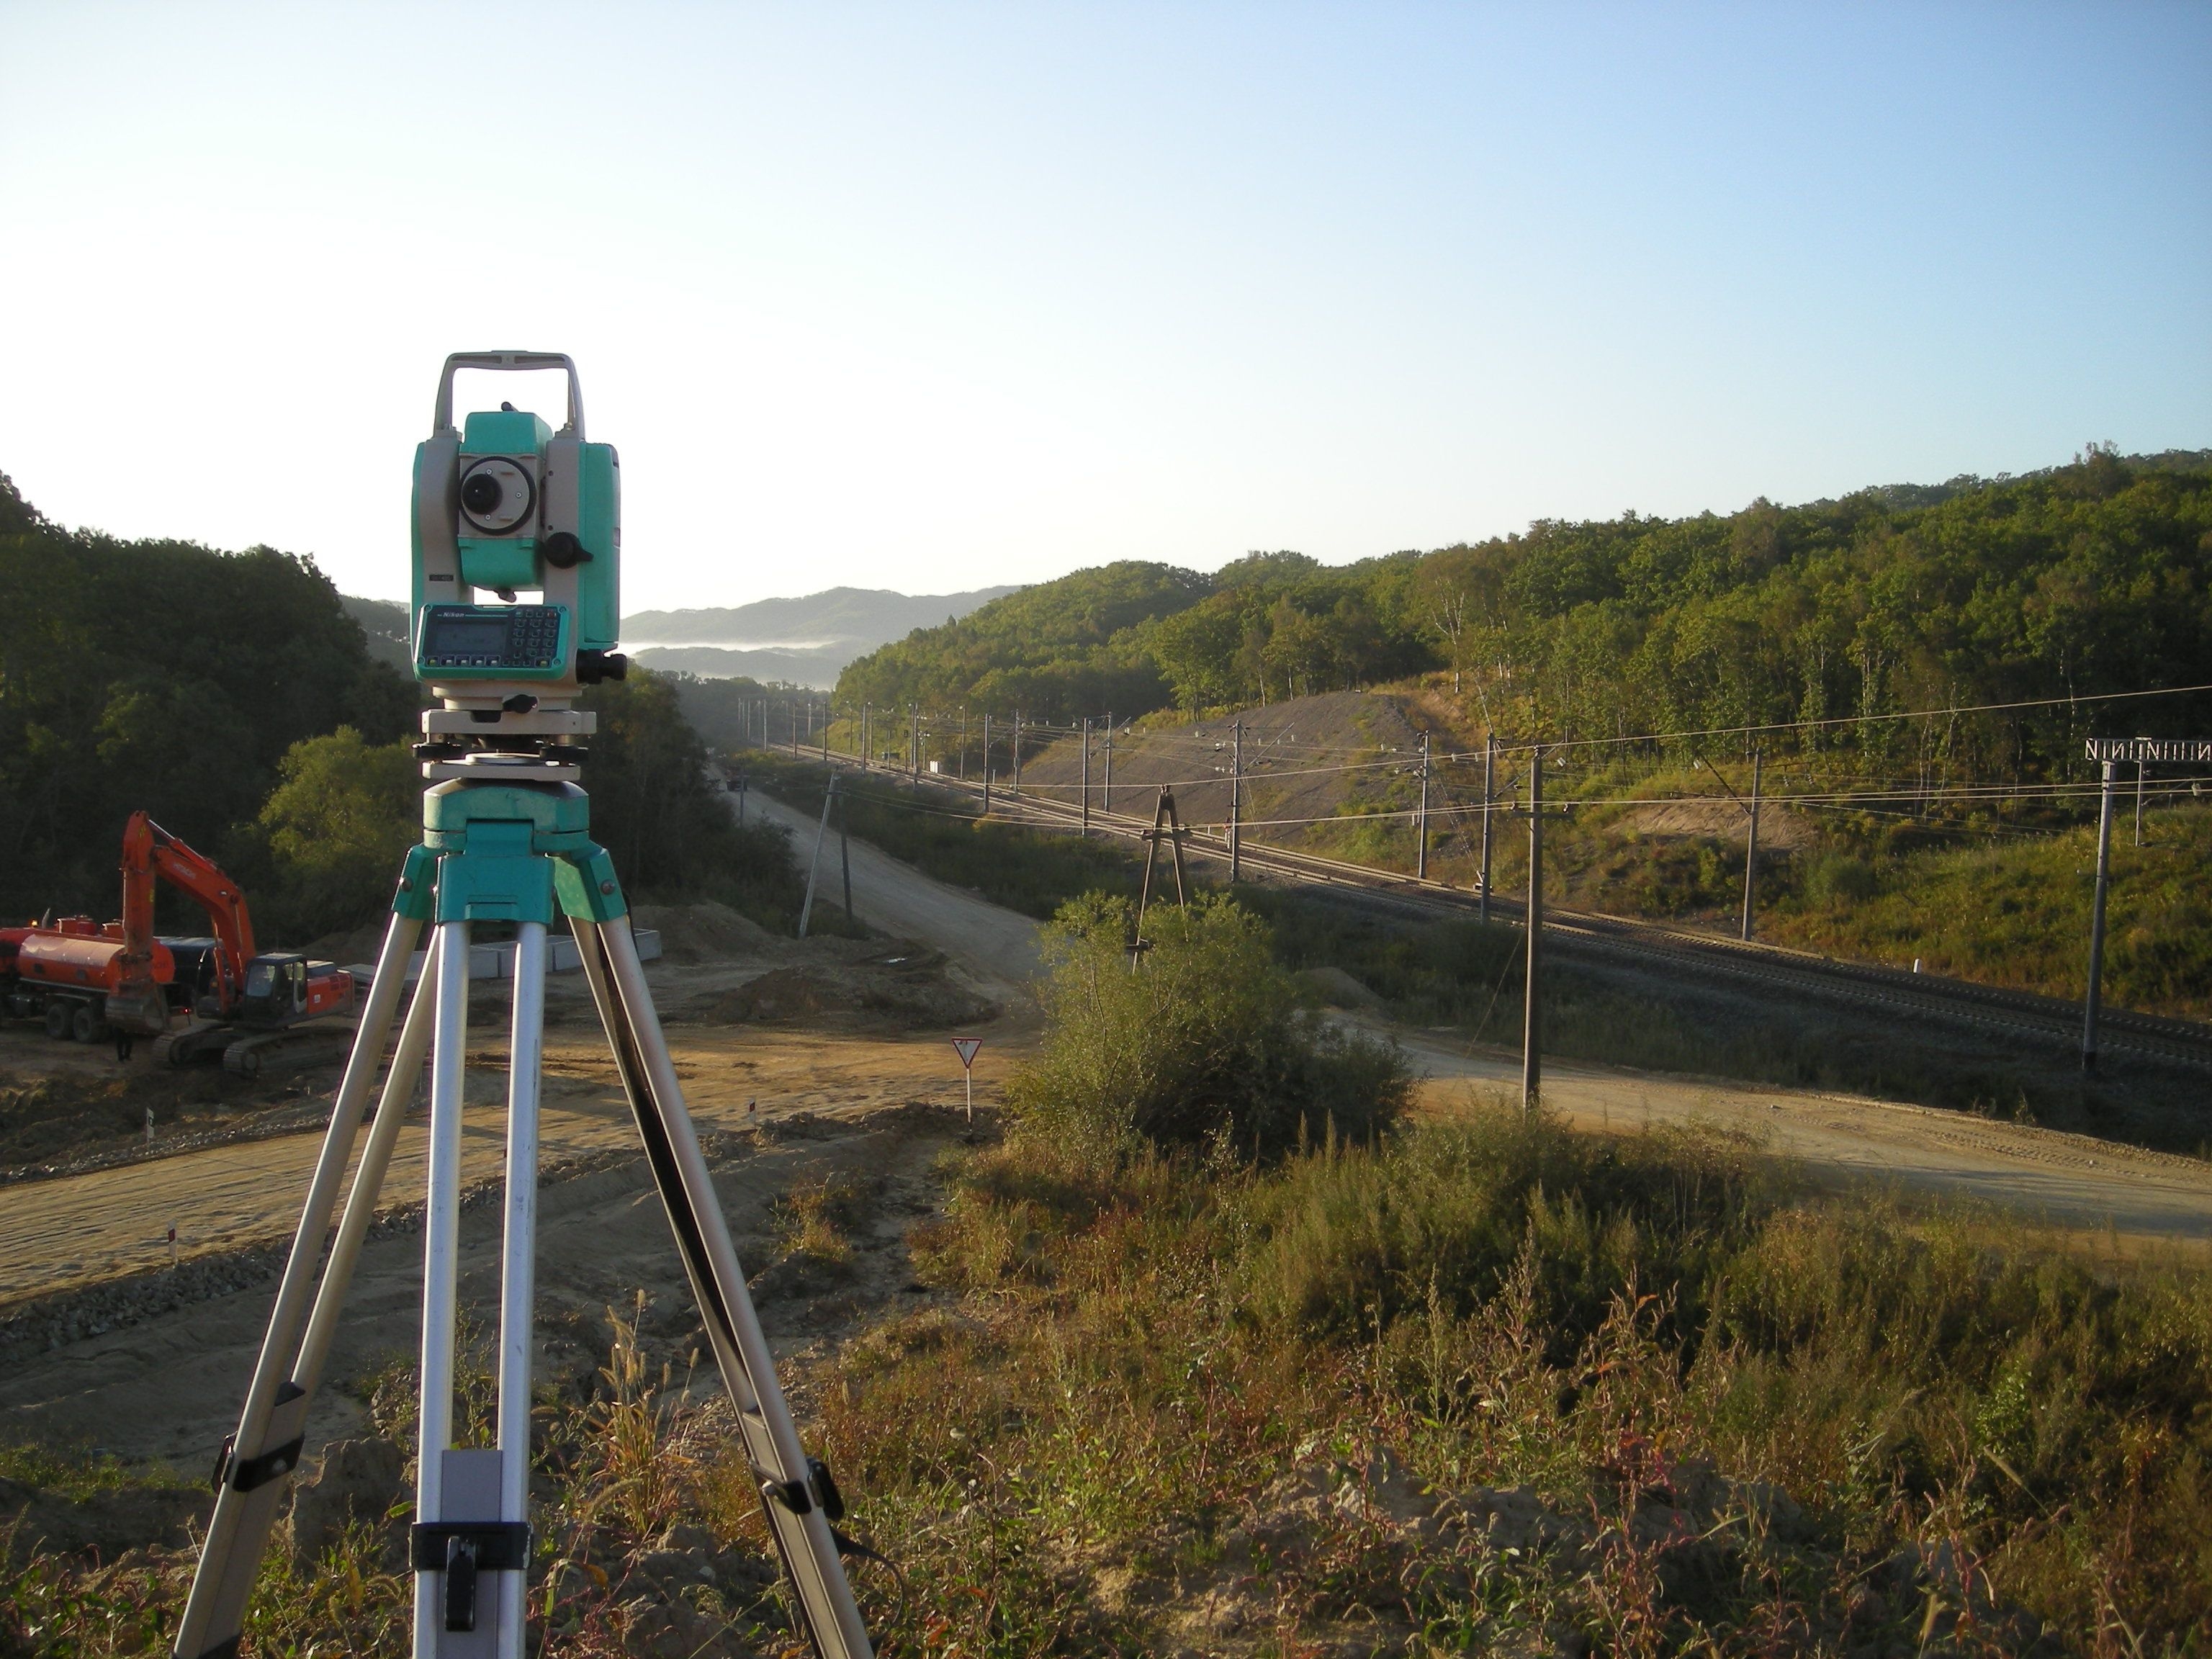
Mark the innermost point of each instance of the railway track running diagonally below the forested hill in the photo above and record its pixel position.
(1658, 948)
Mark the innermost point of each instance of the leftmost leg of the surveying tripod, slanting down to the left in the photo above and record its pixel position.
(258, 1461)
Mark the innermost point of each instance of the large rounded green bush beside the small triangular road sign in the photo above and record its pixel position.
(1200, 1045)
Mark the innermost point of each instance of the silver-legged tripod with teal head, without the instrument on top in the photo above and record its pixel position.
(505, 837)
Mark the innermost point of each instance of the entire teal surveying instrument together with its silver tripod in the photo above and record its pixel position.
(503, 505)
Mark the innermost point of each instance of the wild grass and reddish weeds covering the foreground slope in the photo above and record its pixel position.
(1187, 1404)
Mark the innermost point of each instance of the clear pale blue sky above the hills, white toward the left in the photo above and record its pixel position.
(932, 298)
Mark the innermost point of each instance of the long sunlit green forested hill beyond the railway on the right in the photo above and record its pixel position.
(2078, 581)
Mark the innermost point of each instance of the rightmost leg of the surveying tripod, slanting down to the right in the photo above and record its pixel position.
(793, 1494)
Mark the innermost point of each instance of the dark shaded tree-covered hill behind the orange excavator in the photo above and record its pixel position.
(158, 676)
